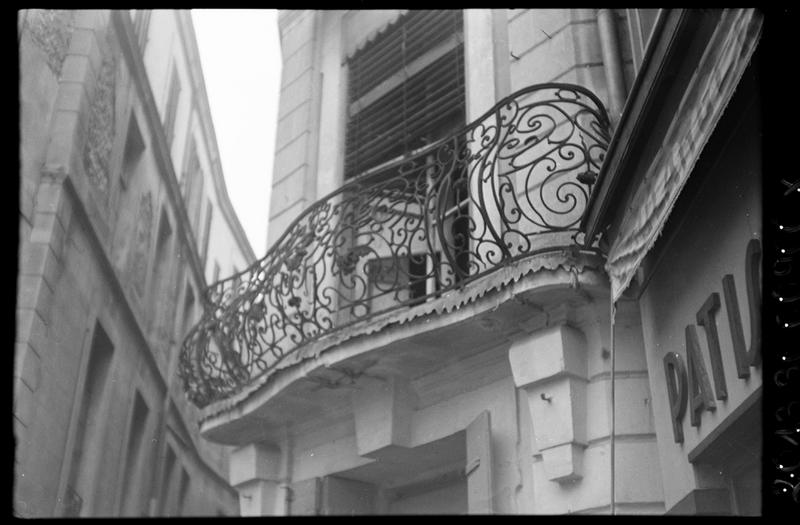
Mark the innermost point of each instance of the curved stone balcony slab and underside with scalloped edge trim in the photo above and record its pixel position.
(315, 389)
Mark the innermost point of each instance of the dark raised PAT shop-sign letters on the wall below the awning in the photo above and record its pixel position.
(691, 385)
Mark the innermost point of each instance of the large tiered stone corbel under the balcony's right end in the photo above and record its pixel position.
(550, 365)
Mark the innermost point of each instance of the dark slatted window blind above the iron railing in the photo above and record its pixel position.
(406, 89)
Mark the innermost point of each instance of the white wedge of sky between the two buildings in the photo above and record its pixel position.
(240, 54)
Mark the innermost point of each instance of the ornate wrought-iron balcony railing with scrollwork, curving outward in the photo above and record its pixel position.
(512, 184)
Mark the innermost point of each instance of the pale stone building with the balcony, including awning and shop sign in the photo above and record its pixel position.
(460, 199)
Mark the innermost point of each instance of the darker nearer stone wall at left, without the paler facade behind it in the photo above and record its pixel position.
(87, 242)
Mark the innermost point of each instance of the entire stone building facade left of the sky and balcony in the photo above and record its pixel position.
(124, 219)
